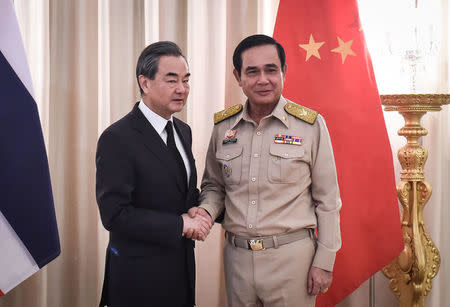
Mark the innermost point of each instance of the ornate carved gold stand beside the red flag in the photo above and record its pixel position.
(411, 273)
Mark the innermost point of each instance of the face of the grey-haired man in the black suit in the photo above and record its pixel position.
(168, 91)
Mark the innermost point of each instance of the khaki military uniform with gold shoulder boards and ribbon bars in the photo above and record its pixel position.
(274, 178)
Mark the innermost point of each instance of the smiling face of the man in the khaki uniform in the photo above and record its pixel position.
(261, 76)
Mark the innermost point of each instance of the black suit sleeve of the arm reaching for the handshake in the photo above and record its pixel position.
(115, 184)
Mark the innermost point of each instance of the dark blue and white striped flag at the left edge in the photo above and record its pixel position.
(28, 232)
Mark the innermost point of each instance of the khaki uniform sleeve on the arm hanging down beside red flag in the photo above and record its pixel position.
(325, 193)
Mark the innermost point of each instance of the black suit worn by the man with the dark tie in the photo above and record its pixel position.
(140, 199)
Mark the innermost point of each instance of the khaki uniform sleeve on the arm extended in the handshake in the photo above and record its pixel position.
(212, 197)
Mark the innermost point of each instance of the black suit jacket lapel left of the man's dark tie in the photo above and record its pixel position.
(152, 140)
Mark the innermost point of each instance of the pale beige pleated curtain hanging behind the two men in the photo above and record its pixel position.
(82, 57)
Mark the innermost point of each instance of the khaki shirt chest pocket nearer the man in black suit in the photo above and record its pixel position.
(230, 161)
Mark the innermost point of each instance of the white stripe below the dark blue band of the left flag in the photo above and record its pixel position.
(16, 263)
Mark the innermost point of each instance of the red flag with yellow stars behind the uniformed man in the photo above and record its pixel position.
(330, 71)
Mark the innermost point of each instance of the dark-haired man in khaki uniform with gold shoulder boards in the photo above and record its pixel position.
(270, 165)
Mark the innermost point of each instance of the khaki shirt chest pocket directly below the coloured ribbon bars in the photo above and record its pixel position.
(285, 163)
